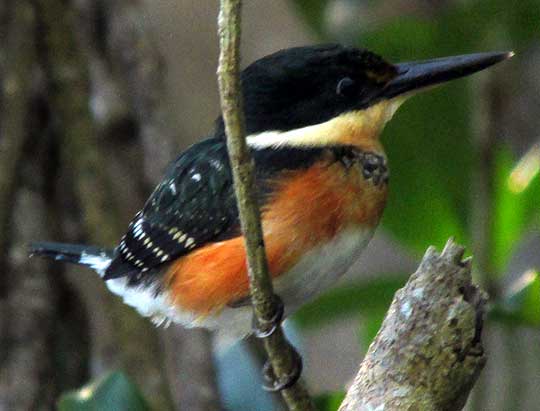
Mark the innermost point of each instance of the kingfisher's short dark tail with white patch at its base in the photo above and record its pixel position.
(94, 257)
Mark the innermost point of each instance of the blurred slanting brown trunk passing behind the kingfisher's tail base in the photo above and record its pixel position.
(137, 348)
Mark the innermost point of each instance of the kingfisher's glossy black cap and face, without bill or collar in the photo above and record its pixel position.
(303, 86)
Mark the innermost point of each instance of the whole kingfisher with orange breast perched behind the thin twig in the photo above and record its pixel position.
(313, 117)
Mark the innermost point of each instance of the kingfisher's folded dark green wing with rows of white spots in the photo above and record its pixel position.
(193, 205)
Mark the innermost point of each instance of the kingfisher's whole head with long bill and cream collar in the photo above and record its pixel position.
(310, 86)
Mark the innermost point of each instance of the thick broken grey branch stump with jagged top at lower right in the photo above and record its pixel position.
(428, 352)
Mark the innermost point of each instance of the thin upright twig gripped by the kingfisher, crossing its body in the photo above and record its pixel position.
(280, 352)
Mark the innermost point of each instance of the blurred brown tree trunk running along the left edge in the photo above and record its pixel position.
(27, 306)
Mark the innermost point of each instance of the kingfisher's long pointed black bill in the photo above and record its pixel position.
(420, 74)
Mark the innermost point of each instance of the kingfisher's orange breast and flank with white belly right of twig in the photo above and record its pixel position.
(315, 226)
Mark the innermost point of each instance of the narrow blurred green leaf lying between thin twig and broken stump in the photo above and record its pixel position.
(367, 297)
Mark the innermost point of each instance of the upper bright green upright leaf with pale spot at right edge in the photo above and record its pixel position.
(517, 202)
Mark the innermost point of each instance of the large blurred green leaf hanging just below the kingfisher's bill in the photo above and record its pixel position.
(429, 160)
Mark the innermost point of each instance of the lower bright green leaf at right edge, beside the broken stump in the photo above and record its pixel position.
(522, 306)
